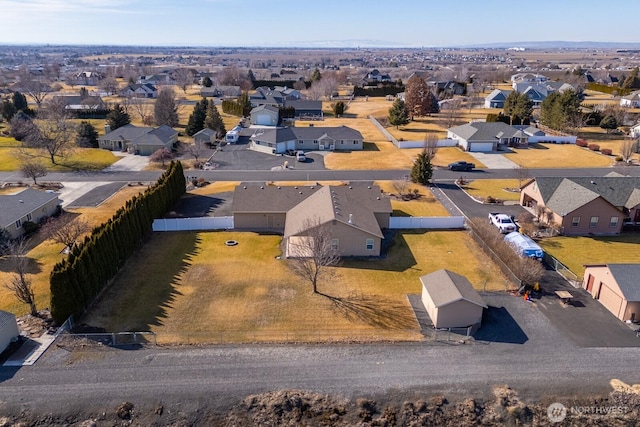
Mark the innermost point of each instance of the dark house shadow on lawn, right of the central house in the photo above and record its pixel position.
(396, 255)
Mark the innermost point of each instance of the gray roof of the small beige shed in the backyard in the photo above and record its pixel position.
(446, 287)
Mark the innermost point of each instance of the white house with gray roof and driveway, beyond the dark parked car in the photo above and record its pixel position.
(486, 136)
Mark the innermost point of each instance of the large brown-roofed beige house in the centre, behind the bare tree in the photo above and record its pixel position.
(355, 215)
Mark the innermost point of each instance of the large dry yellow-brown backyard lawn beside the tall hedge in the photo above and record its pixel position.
(190, 287)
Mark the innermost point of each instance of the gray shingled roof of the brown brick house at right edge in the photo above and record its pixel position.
(564, 195)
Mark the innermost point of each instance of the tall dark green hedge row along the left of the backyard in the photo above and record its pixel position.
(77, 280)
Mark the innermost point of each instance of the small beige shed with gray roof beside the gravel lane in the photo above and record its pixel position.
(451, 300)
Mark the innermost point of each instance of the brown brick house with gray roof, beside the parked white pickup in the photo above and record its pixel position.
(585, 205)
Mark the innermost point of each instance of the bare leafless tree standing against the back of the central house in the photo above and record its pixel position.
(312, 253)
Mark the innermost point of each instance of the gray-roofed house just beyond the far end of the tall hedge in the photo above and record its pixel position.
(139, 140)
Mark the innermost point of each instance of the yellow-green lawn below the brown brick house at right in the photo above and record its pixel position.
(575, 252)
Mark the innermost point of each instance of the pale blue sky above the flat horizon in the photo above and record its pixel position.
(300, 23)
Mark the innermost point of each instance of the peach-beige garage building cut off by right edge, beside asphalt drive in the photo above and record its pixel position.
(616, 286)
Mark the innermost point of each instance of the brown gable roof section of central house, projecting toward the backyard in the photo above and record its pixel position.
(354, 206)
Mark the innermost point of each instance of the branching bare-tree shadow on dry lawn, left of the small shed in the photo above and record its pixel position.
(374, 310)
